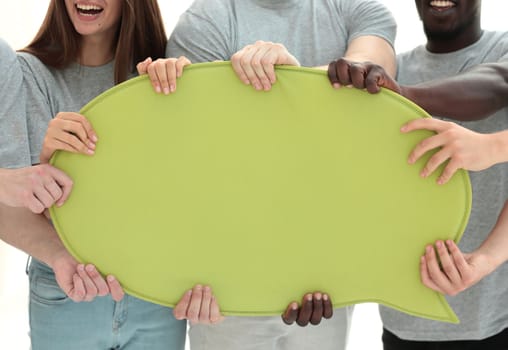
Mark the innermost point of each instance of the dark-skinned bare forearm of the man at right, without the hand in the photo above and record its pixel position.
(473, 95)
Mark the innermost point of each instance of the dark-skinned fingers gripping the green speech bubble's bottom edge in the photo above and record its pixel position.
(315, 306)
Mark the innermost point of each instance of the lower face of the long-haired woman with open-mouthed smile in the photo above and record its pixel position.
(95, 17)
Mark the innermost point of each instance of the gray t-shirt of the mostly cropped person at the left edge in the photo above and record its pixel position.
(14, 149)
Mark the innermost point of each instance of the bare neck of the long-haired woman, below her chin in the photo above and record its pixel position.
(96, 51)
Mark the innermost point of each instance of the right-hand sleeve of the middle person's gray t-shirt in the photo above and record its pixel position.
(367, 17)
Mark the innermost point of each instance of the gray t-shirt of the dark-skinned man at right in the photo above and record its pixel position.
(483, 308)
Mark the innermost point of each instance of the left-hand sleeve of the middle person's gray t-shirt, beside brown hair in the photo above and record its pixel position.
(200, 35)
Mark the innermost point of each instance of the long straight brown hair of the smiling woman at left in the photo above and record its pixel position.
(140, 35)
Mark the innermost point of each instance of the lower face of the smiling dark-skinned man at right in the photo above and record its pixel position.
(451, 20)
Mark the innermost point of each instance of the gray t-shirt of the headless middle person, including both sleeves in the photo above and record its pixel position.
(314, 31)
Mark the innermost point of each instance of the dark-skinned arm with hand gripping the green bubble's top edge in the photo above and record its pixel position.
(471, 95)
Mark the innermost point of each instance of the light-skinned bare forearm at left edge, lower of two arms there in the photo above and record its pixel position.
(31, 233)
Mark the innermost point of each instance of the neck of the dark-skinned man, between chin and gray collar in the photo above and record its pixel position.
(451, 43)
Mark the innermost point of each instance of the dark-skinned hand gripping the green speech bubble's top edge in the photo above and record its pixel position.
(361, 75)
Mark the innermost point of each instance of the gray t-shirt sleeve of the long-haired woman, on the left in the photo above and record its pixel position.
(38, 110)
